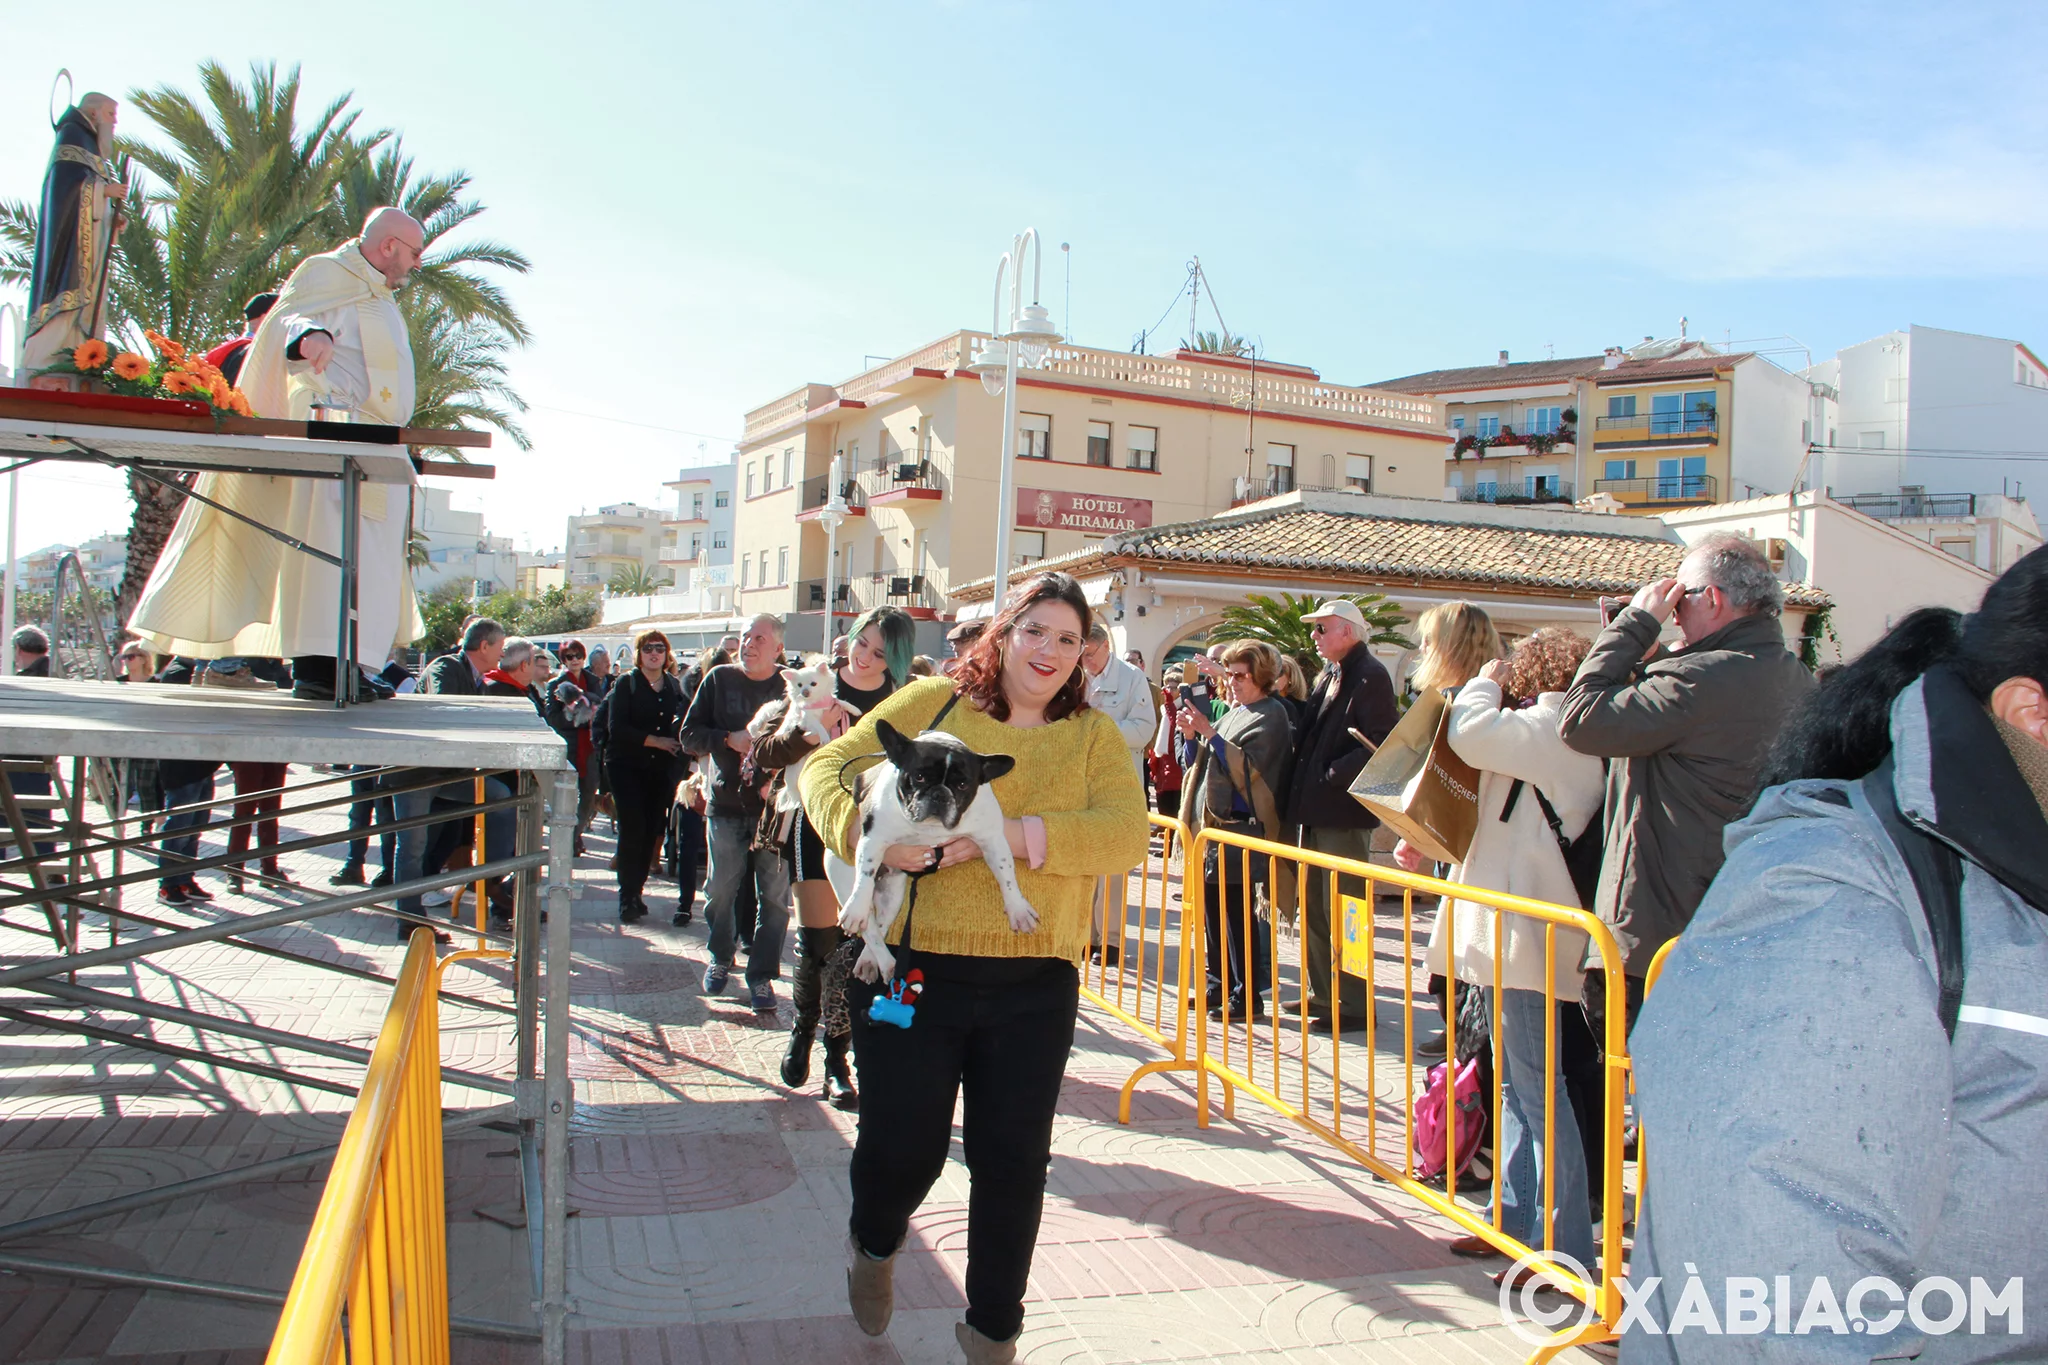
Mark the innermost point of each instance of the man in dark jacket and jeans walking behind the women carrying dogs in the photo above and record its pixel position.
(716, 730)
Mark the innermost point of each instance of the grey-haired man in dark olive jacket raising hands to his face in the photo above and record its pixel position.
(1687, 732)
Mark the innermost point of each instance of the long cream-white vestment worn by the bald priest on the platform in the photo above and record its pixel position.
(224, 588)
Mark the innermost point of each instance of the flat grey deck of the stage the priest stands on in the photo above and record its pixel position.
(142, 721)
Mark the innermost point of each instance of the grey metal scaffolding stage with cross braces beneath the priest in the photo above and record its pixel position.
(69, 865)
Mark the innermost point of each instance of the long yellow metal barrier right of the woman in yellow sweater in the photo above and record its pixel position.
(1283, 1073)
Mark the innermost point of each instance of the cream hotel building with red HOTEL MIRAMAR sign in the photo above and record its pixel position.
(1105, 443)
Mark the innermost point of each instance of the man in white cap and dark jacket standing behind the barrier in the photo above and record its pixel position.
(1353, 695)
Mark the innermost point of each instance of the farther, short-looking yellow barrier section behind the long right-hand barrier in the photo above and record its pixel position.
(1134, 981)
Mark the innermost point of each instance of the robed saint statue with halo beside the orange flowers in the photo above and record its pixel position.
(75, 238)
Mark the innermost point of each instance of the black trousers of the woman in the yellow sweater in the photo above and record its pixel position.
(996, 1032)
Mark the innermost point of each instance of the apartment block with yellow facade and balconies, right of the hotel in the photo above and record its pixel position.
(1666, 425)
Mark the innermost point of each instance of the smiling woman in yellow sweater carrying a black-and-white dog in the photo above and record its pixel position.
(996, 1008)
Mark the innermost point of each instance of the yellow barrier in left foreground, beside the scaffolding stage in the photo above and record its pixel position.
(374, 1278)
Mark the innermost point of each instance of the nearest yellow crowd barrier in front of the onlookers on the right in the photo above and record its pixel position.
(1310, 1077)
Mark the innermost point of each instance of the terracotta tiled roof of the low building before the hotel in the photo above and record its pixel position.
(1336, 545)
